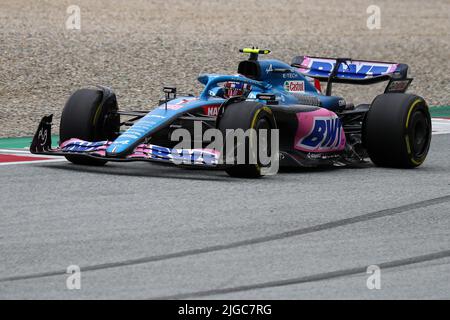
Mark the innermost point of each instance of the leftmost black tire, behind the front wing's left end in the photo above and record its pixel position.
(89, 115)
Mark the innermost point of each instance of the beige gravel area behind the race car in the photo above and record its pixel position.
(137, 46)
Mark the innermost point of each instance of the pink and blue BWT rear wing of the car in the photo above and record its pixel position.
(346, 70)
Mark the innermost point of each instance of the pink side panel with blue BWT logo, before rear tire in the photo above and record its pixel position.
(319, 131)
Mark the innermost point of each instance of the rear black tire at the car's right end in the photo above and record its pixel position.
(397, 130)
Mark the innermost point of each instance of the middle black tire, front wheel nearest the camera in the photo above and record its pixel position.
(246, 115)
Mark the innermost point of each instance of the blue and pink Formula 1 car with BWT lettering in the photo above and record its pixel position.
(314, 127)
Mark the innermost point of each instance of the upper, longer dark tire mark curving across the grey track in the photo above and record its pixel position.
(243, 243)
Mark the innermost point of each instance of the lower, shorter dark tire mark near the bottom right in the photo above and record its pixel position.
(310, 278)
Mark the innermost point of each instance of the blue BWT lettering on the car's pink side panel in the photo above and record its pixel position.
(324, 136)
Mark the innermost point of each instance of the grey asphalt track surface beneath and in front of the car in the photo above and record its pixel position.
(144, 231)
